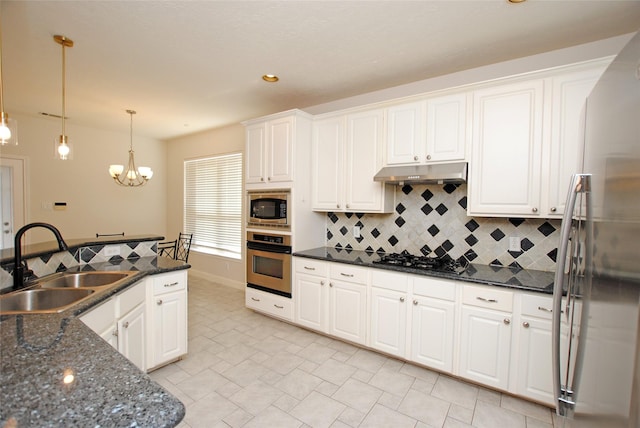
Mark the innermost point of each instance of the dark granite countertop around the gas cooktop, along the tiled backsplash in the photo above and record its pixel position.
(523, 279)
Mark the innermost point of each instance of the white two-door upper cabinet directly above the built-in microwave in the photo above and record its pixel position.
(271, 148)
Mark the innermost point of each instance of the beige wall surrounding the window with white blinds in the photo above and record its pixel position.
(229, 139)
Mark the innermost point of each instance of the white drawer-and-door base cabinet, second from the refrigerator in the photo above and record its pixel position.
(485, 335)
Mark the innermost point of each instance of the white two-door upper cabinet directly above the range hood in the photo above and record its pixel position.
(432, 130)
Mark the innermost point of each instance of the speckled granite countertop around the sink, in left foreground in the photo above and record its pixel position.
(37, 351)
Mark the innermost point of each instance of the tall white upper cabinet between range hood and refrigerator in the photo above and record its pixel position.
(526, 143)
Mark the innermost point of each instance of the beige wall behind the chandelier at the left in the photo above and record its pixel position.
(94, 203)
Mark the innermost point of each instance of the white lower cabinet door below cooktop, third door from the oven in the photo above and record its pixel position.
(388, 321)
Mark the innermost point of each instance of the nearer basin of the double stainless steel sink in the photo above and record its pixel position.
(42, 300)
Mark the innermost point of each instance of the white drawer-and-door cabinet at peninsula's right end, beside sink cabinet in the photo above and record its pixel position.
(167, 303)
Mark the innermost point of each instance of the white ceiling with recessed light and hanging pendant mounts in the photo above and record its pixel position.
(186, 66)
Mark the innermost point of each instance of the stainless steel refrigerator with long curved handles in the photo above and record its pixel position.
(596, 324)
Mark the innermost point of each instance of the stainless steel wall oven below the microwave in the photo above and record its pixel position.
(269, 262)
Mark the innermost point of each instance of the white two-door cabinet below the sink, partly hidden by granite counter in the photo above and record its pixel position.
(122, 323)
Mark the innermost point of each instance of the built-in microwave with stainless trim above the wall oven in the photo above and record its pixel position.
(268, 208)
